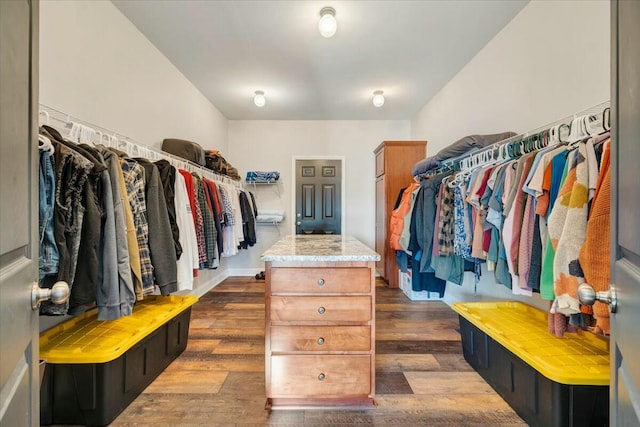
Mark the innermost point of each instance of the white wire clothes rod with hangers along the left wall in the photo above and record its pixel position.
(121, 142)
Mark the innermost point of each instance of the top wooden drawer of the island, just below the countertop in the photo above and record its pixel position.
(321, 280)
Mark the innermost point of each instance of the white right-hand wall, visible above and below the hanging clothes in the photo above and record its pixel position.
(552, 60)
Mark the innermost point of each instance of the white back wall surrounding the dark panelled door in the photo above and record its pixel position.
(271, 144)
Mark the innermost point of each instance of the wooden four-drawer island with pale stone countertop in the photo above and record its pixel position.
(320, 322)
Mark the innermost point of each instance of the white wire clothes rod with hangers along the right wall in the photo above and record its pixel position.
(464, 161)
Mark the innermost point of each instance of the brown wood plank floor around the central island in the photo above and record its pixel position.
(422, 378)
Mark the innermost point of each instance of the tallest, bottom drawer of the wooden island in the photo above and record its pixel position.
(320, 375)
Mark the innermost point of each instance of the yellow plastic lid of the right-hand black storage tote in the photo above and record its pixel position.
(580, 358)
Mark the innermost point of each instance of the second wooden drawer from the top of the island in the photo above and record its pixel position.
(321, 309)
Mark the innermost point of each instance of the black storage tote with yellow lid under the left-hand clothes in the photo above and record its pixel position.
(95, 369)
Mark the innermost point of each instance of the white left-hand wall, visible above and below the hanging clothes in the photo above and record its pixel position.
(96, 65)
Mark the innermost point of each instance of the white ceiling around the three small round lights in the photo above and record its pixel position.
(408, 49)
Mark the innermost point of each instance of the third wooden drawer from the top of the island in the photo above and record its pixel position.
(320, 338)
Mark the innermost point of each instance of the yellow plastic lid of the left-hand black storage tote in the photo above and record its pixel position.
(85, 339)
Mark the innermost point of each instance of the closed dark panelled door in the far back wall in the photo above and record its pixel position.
(318, 196)
